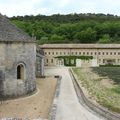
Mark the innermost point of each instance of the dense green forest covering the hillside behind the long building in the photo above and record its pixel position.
(71, 28)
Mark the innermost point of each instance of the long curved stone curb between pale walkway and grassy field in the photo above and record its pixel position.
(101, 111)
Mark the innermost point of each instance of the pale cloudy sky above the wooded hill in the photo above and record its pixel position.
(49, 7)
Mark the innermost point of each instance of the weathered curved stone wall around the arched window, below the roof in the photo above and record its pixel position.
(11, 55)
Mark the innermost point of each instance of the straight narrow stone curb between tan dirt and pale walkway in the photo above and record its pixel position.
(52, 114)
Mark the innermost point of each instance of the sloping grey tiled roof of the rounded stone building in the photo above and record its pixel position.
(9, 32)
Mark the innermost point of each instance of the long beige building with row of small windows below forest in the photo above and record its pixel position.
(99, 54)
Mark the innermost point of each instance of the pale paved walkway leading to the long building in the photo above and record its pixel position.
(69, 107)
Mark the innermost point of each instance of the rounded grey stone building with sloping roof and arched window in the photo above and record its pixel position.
(17, 60)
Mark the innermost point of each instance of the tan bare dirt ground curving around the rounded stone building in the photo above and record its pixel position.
(34, 106)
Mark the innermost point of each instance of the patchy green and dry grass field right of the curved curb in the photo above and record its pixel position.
(102, 84)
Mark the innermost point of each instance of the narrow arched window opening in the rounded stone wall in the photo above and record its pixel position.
(21, 72)
